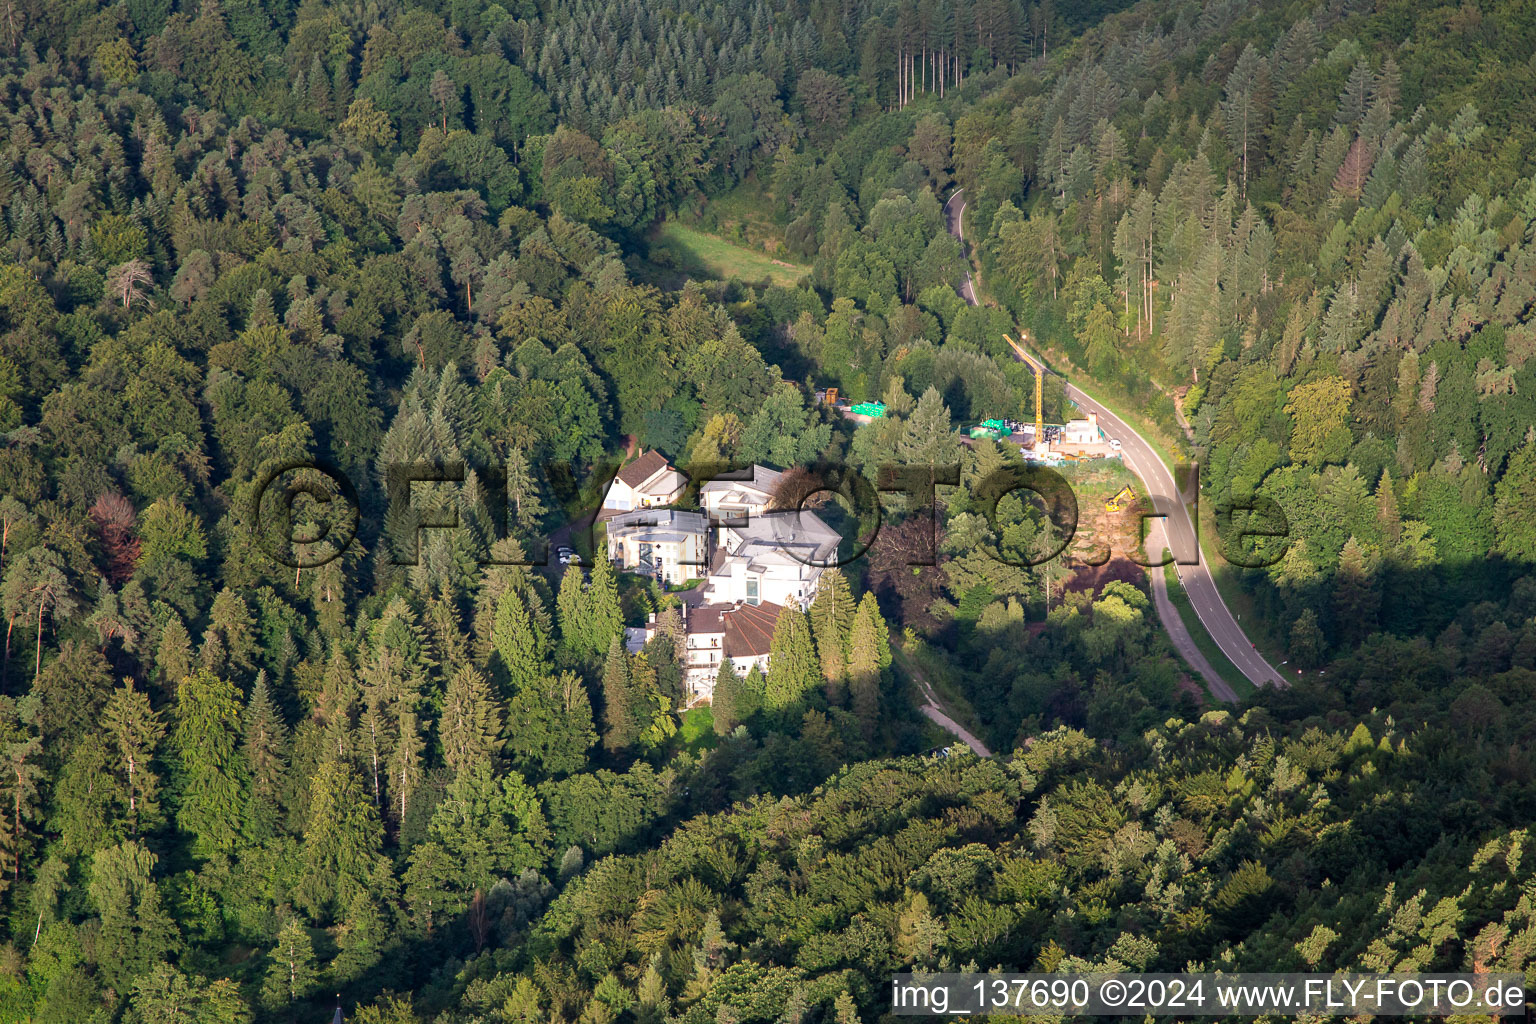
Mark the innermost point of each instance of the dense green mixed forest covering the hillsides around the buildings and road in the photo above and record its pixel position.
(425, 779)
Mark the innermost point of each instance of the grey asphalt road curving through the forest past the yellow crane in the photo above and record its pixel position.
(1174, 530)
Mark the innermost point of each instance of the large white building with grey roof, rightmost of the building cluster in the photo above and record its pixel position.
(776, 558)
